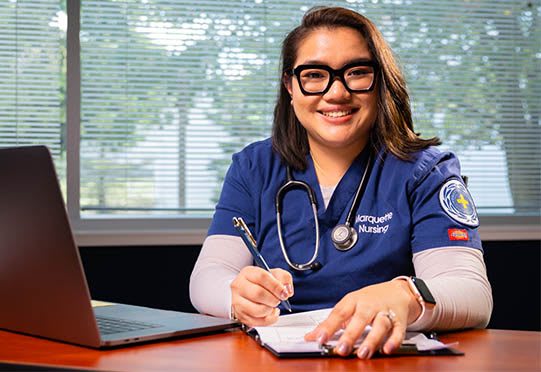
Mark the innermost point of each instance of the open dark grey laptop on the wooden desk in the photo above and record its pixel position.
(43, 289)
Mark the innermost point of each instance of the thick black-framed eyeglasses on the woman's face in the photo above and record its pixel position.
(357, 77)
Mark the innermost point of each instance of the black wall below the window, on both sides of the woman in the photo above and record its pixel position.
(159, 276)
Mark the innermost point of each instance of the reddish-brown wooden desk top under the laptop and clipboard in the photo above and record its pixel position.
(486, 350)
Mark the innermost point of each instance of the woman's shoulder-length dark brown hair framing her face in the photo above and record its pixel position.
(393, 128)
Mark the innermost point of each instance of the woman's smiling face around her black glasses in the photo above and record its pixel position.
(338, 119)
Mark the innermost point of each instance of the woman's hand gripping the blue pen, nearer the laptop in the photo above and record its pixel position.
(256, 293)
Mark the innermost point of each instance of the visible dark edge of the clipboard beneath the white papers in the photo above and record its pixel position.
(326, 351)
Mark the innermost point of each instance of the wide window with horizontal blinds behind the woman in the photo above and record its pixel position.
(170, 89)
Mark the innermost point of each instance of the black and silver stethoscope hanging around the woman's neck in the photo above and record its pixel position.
(343, 235)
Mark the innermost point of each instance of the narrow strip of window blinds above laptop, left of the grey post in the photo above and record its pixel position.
(32, 80)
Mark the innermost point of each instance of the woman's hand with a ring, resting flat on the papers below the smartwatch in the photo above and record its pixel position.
(388, 307)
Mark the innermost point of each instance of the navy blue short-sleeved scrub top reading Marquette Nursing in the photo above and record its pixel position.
(408, 206)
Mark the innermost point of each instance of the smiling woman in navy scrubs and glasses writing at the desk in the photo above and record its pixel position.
(343, 126)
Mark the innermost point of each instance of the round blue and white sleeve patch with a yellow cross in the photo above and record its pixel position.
(457, 202)
